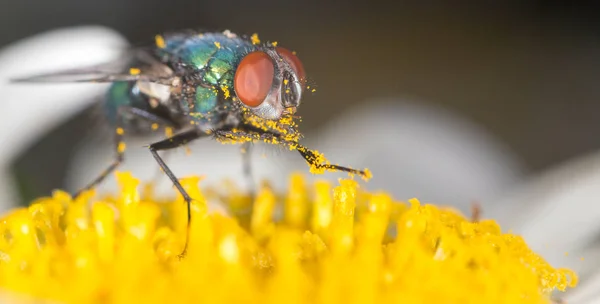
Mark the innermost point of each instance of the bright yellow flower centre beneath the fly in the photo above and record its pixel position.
(315, 243)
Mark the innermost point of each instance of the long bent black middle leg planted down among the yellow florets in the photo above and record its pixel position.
(171, 143)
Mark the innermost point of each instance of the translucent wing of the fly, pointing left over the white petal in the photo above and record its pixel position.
(143, 67)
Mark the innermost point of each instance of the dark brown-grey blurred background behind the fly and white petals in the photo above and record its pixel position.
(524, 71)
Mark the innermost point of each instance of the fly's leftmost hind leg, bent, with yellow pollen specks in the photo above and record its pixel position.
(119, 143)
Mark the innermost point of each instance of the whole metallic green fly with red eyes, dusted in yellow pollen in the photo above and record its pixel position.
(231, 88)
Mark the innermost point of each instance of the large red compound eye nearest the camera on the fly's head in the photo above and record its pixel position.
(253, 78)
